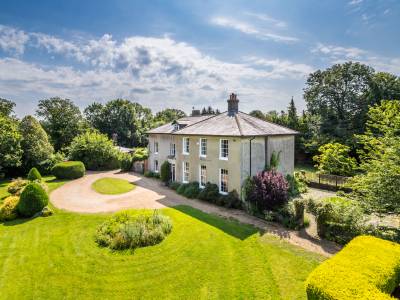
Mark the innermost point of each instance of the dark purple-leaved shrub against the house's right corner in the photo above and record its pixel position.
(270, 190)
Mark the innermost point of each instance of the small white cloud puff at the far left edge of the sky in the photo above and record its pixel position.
(12, 39)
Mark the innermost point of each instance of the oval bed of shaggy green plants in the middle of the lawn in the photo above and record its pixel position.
(126, 230)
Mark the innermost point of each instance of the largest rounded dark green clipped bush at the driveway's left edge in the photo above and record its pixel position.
(32, 200)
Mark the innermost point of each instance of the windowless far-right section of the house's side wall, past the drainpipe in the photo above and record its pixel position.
(283, 144)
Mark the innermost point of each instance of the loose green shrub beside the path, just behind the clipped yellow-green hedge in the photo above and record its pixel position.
(338, 219)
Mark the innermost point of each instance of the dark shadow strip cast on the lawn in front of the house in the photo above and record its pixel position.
(230, 226)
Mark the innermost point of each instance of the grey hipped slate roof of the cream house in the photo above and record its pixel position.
(241, 124)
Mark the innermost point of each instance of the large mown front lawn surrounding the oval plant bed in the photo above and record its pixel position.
(204, 257)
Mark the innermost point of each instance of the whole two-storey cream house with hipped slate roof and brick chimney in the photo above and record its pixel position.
(223, 149)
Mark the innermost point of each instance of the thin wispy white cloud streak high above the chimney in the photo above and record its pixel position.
(250, 29)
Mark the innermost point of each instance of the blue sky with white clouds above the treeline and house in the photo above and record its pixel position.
(185, 54)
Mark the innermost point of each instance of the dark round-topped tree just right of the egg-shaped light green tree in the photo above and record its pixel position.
(61, 119)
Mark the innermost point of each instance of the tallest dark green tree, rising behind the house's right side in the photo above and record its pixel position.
(339, 95)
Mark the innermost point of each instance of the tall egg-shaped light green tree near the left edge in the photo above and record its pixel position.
(35, 143)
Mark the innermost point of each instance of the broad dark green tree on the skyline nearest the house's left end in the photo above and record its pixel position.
(126, 120)
